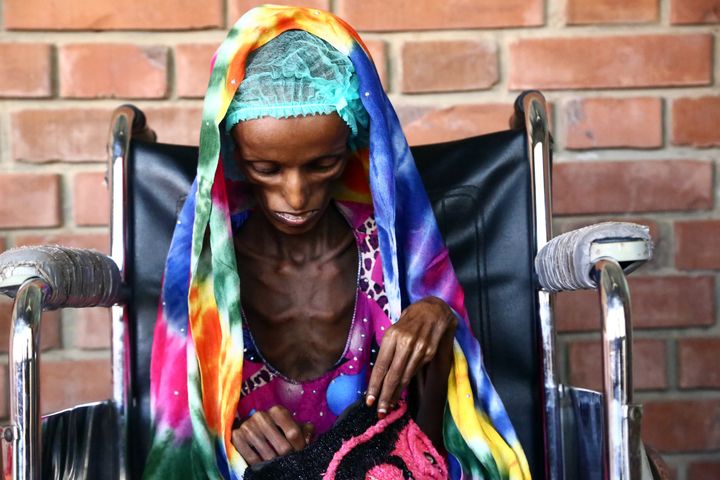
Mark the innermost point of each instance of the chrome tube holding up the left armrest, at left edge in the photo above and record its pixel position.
(25, 379)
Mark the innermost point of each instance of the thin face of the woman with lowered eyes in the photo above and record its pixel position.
(292, 164)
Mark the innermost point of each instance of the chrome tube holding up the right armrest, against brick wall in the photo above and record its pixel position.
(622, 418)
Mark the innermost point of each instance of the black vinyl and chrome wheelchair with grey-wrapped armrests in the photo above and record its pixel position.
(491, 195)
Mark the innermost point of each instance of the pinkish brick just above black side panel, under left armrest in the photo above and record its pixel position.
(66, 383)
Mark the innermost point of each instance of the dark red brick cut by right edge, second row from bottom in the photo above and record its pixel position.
(682, 425)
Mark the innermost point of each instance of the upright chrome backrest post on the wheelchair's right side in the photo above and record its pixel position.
(538, 146)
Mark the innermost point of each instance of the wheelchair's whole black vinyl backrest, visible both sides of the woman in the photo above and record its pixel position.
(480, 190)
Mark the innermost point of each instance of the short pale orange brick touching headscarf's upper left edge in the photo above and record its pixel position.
(192, 68)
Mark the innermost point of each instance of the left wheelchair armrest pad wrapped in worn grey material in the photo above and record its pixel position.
(74, 277)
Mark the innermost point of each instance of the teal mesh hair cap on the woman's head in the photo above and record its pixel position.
(298, 74)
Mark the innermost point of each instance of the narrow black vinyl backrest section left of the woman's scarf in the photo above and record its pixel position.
(159, 177)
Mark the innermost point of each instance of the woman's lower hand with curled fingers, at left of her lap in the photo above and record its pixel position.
(269, 434)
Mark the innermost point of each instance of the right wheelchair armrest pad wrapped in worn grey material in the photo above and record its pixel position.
(566, 262)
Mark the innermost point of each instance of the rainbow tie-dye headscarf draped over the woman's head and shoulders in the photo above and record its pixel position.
(196, 369)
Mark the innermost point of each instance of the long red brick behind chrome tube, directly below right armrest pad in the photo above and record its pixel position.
(657, 302)
